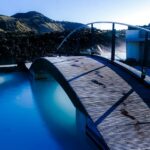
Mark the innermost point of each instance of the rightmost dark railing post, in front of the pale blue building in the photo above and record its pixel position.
(144, 59)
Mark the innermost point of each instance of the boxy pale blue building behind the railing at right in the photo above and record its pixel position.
(137, 47)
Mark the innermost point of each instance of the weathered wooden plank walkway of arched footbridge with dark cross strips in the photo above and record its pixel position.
(118, 104)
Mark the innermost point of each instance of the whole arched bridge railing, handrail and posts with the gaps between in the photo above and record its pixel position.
(116, 41)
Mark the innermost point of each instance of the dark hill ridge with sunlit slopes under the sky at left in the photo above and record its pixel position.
(35, 22)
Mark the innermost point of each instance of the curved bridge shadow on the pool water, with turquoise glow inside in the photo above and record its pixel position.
(60, 116)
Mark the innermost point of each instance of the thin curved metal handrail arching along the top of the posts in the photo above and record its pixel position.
(99, 22)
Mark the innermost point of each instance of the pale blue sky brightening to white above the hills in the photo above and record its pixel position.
(134, 12)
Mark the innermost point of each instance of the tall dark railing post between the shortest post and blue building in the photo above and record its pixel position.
(113, 42)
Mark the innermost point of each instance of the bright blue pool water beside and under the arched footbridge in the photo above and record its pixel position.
(38, 117)
